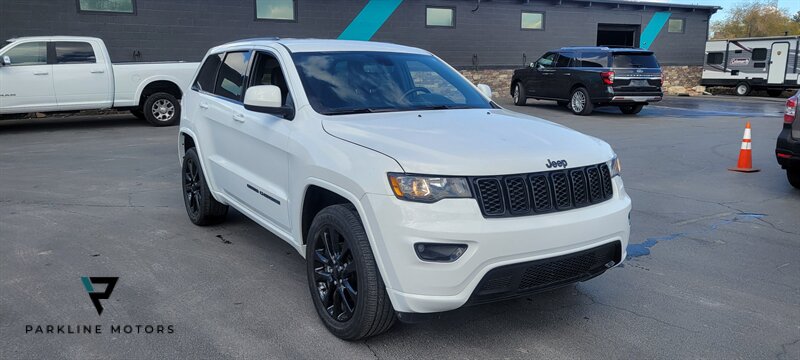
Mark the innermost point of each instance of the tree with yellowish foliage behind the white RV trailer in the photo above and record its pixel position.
(755, 19)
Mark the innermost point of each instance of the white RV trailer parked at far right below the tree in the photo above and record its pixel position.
(767, 63)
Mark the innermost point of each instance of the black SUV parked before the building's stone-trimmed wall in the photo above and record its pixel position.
(581, 78)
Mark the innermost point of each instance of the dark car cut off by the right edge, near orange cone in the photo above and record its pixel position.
(787, 150)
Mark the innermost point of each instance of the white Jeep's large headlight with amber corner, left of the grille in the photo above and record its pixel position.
(428, 189)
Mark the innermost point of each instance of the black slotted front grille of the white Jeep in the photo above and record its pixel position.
(538, 193)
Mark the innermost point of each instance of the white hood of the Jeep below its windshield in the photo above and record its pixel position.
(468, 141)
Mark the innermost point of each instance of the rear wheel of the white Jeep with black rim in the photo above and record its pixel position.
(201, 206)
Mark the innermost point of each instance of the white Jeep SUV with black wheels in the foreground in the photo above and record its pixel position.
(405, 187)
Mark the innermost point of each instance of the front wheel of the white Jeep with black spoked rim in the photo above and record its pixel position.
(337, 230)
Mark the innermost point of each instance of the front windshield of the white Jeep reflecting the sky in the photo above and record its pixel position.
(359, 82)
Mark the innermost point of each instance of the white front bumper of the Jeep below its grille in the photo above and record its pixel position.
(417, 286)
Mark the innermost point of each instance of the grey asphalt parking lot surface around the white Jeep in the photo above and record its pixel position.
(714, 267)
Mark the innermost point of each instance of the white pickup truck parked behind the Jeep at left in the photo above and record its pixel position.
(71, 73)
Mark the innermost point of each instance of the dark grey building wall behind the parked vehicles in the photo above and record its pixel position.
(185, 29)
